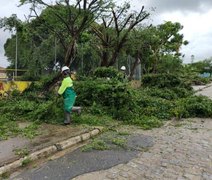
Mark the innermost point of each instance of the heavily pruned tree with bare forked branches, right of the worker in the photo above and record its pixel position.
(114, 30)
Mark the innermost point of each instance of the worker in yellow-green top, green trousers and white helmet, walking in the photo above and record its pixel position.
(68, 93)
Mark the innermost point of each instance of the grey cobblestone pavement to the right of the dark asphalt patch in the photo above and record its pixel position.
(182, 151)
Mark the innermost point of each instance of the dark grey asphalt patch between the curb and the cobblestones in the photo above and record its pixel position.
(78, 162)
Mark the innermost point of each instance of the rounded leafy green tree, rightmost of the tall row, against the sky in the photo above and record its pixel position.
(155, 47)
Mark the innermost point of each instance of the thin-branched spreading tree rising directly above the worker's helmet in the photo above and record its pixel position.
(75, 18)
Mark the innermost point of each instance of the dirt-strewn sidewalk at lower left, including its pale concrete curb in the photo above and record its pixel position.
(54, 137)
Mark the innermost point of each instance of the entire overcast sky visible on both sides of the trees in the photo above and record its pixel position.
(194, 15)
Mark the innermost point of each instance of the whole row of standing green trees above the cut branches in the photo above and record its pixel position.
(88, 34)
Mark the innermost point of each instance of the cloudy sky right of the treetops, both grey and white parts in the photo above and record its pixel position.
(194, 15)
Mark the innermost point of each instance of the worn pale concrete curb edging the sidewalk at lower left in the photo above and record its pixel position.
(51, 150)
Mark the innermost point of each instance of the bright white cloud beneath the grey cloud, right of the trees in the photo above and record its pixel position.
(197, 30)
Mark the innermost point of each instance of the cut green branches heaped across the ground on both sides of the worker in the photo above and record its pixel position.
(162, 97)
